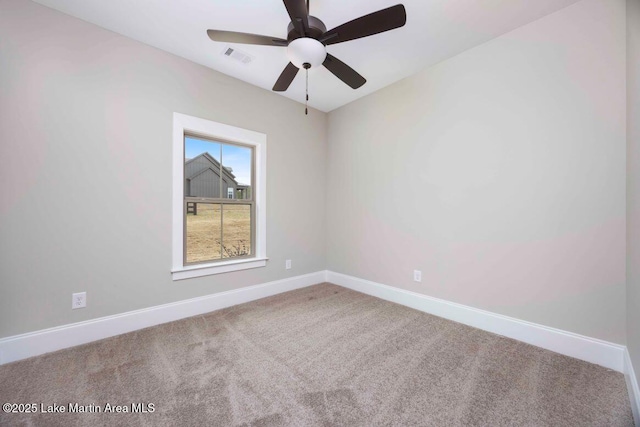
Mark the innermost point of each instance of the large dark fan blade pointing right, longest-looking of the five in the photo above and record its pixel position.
(368, 25)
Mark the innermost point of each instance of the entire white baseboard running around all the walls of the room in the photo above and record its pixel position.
(589, 349)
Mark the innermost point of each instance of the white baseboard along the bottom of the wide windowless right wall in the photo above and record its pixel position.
(592, 350)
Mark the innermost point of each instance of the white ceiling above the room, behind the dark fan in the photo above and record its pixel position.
(435, 30)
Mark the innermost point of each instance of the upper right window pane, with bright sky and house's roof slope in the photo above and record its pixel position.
(236, 179)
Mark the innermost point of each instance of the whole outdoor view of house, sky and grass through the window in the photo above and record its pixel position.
(218, 200)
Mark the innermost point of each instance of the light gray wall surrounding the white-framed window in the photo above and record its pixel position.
(77, 101)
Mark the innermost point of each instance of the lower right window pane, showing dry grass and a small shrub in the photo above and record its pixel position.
(236, 234)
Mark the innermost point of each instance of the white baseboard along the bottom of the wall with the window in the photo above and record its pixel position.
(47, 340)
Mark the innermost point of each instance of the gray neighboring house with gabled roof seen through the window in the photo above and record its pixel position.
(202, 179)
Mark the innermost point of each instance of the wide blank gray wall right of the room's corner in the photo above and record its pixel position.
(499, 173)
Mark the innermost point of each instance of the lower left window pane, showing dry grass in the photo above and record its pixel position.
(203, 232)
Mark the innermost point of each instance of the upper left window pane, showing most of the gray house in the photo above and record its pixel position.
(201, 168)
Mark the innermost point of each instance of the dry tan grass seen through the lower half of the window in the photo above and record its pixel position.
(203, 232)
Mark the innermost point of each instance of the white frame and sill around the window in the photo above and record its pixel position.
(182, 124)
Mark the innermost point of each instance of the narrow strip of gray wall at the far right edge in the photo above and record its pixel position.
(633, 183)
